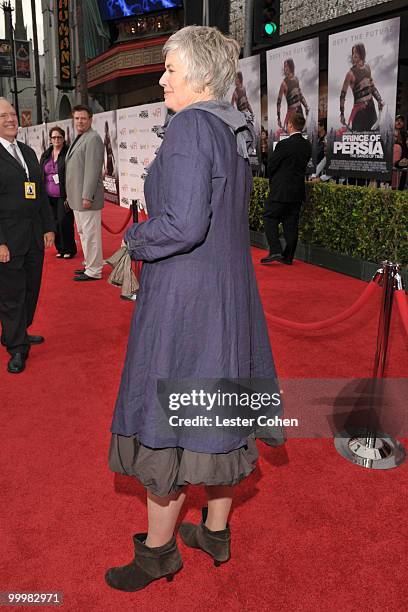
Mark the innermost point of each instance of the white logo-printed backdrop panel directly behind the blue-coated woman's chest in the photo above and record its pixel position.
(138, 145)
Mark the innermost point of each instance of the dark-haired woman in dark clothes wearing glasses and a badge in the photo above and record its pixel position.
(53, 165)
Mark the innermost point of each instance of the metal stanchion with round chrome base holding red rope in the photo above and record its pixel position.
(370, 448)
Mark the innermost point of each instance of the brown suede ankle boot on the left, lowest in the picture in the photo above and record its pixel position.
(149, 564)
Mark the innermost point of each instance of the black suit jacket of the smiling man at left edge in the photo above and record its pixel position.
(21, 220)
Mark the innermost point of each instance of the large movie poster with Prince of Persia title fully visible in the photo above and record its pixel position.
(363, 66)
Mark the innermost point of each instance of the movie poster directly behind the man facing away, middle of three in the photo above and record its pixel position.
(293, 87)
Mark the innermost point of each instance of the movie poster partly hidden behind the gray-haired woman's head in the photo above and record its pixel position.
(245, 95)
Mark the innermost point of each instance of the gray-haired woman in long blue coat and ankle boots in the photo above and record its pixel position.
(198, 316)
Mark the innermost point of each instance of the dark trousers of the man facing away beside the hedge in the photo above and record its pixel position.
(286, 213)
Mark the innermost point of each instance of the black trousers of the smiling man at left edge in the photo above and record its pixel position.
(20, 281)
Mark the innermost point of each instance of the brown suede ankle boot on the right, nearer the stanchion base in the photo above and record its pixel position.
(214, 543)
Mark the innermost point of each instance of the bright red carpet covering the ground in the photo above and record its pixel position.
(310, 530)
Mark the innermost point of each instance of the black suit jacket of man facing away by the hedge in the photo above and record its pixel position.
(287, 167)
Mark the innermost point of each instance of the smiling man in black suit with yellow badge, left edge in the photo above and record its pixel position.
(26, 227)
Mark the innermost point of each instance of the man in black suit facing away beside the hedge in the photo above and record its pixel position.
(286, 172)
